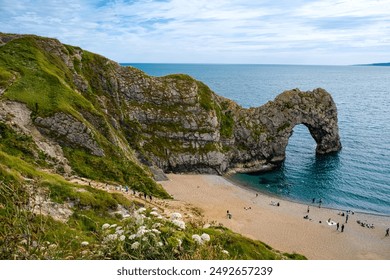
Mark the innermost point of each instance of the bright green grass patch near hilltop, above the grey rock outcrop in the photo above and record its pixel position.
(44, 78)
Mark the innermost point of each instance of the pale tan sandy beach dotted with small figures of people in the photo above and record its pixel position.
(283, 227)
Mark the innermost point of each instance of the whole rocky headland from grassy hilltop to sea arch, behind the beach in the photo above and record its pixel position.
(83, 101)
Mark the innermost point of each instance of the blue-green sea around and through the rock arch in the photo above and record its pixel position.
(358, 177)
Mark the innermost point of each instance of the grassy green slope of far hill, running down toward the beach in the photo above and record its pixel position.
(32, 72)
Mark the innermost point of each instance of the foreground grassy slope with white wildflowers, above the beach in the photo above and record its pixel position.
(27, 232)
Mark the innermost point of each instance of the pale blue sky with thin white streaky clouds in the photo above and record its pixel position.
(305, 32)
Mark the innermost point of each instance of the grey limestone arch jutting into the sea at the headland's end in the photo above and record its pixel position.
(263, 132)
